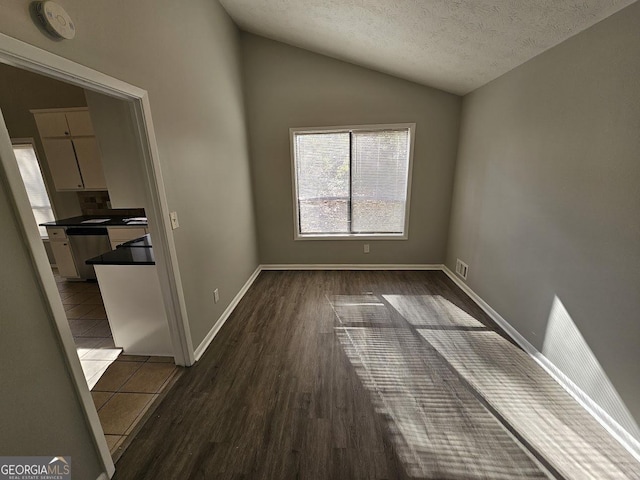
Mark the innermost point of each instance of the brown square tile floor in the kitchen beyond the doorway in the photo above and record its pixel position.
(124, 387)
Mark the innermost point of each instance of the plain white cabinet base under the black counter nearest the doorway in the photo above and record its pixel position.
(135, 309)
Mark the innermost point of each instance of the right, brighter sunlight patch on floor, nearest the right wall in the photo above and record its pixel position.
(529, 400)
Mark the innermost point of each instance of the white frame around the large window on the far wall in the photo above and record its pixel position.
(344, 129)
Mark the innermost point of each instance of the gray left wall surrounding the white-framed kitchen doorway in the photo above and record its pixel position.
(186, 55)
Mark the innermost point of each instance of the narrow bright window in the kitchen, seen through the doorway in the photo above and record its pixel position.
(34, 183)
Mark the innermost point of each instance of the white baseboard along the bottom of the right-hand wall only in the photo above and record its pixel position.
(630, 443)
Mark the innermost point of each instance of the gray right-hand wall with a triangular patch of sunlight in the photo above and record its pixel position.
(547, 198)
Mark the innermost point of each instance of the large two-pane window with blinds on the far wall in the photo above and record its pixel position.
(352, 182)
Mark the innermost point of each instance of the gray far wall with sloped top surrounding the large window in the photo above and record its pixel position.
(288, 87)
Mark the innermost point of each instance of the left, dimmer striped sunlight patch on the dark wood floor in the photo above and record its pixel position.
(437, 427)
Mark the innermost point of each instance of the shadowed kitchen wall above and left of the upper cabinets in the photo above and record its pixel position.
(21, 91)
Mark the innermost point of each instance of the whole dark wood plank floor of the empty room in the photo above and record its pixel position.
(358, 375)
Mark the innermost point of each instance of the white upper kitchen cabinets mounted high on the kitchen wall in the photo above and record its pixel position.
(71, 148)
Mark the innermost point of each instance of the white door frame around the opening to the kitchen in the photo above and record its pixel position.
(25, 56)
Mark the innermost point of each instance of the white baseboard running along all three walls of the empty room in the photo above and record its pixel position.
(613, 427)
